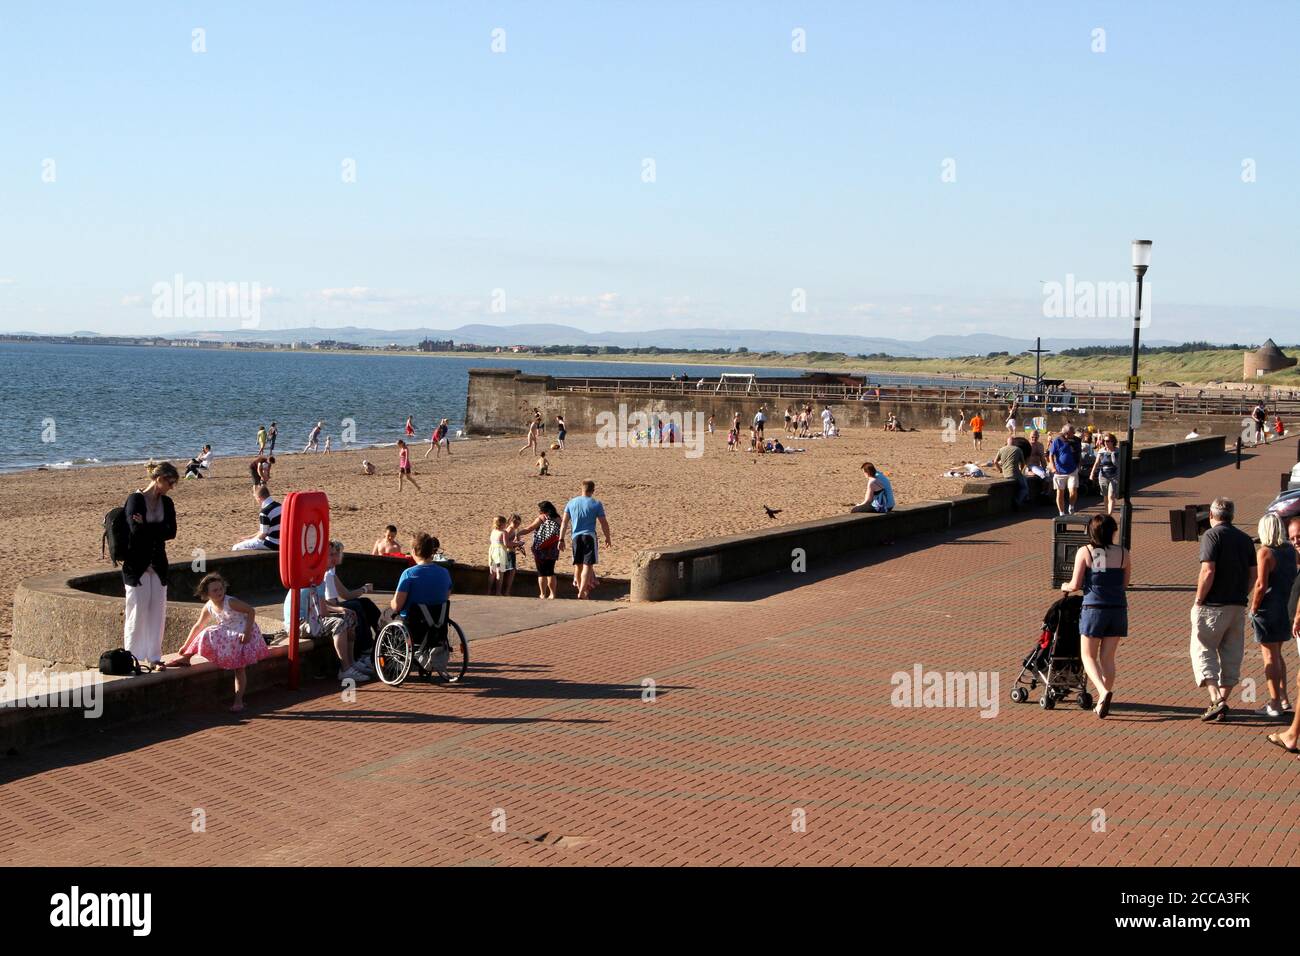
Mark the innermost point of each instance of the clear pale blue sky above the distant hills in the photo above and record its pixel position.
(775, 171)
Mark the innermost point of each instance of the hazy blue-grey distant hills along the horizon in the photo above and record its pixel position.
(755, 340)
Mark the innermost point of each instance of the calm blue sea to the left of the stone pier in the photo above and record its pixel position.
(71, 405)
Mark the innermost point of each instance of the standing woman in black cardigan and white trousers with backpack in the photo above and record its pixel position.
(151, 524)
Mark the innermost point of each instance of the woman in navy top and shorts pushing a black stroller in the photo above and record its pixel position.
(1102, 572)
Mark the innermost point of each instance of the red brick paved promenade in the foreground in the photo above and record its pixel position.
(772, 708)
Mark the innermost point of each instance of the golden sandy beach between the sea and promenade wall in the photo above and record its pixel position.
(653, 496)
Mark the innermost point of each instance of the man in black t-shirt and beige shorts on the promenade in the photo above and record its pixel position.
(1219, 616)
